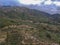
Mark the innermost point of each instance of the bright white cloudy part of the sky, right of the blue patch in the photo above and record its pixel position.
(46, 2)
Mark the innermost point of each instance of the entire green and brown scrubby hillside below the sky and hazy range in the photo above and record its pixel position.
(23, 26)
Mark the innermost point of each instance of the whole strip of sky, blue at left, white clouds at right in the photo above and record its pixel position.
(28, 2)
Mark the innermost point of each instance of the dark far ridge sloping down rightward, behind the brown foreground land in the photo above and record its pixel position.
(30, 13)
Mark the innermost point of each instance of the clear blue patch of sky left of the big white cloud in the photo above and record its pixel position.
(9, 2)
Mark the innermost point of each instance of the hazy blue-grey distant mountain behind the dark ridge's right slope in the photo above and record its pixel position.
(51, 9)
